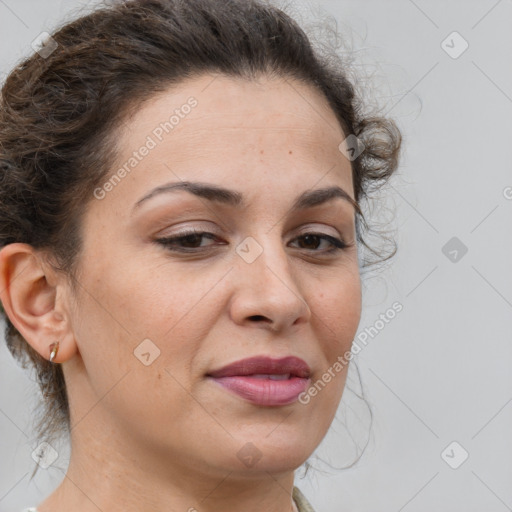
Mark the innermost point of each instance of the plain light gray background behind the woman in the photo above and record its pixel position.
(439, 372)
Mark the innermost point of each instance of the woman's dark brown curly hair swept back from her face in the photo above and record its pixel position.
(61, 107)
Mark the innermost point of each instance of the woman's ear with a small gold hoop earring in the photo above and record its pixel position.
(33, 296)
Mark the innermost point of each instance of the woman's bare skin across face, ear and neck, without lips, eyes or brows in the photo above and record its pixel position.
(164, 437)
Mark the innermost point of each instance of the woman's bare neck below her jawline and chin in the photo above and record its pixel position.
(104, 475)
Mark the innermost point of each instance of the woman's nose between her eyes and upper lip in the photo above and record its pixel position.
(268, 291)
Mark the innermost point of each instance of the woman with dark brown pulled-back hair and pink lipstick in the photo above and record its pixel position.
(181, 227)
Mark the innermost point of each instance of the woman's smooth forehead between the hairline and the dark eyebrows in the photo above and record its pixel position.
(234, 131)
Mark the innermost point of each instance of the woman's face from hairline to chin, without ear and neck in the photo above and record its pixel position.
(152, 320)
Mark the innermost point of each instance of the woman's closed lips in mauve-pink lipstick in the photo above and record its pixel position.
(244, 378)
